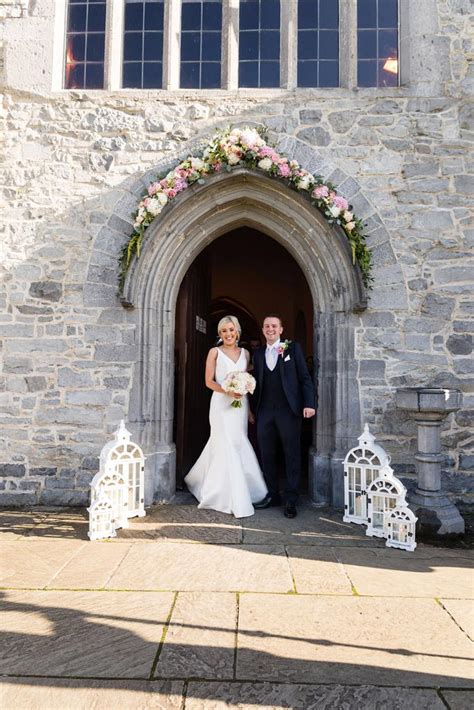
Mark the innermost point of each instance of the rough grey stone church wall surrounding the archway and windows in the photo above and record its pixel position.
(73, 164)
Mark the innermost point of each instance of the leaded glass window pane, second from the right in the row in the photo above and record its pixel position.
(318, 43)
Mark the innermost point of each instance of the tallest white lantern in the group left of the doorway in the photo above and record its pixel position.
(127, 458)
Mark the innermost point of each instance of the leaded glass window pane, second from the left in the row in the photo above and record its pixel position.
(143, 44)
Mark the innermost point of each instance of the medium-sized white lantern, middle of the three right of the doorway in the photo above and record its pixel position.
(383, 495)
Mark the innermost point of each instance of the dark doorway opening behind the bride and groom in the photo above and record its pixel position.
(247, 274)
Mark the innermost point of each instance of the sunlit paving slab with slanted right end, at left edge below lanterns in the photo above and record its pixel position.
(26, 563)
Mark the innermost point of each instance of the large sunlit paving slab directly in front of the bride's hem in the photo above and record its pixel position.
(199, 568)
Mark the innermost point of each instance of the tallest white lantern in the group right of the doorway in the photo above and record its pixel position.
(362, 465)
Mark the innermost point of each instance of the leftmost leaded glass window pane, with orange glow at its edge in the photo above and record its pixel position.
(85, 41)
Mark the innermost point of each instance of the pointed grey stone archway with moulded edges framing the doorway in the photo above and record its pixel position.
(202, 214)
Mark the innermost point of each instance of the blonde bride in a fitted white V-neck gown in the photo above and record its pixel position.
(227, 477)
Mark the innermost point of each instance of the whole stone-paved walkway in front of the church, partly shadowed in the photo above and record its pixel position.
(193, 609)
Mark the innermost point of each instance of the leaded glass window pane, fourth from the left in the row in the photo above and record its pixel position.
(259, 43)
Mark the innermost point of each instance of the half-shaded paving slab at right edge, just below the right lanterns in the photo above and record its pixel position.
(397, 573)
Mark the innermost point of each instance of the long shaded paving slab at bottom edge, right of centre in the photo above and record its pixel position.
(273, 696)
